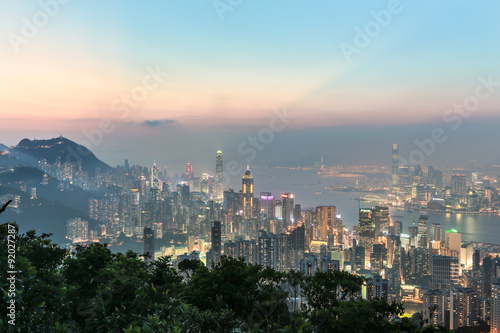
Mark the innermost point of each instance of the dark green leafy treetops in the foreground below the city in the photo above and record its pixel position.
(94, 290)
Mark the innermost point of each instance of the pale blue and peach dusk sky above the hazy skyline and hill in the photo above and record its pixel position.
(174, 81)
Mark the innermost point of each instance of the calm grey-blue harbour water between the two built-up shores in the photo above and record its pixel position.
(309, 190)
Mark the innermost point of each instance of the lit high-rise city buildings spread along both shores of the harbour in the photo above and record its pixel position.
(455, 283)
